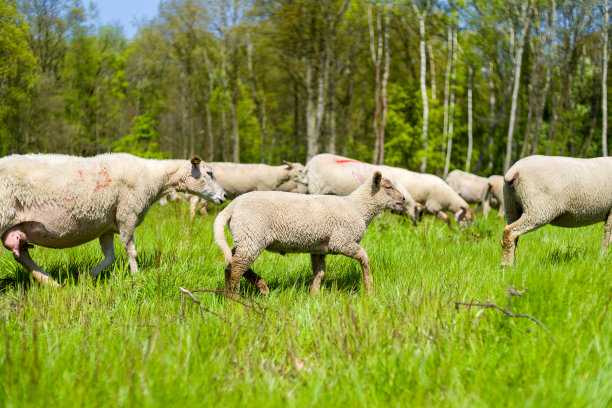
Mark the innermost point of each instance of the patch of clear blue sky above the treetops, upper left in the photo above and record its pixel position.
(125, 12)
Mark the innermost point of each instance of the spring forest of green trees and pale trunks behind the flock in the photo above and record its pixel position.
(426, 85)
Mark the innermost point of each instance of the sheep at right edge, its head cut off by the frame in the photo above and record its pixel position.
(561, 191)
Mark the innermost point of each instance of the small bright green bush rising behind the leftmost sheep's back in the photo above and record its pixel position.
(143, 139)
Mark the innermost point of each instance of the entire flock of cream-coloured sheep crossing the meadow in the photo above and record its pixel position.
(60, 201)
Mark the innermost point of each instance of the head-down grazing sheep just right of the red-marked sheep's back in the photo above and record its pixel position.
(436, 196)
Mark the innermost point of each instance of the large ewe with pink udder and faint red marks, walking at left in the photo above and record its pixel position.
(60, 201)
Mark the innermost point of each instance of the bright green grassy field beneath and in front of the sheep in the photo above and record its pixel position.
(121, 341)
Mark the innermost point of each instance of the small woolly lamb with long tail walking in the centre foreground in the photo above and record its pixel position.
(287, 222)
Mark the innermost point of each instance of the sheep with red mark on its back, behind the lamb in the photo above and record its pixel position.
(338, 175)
